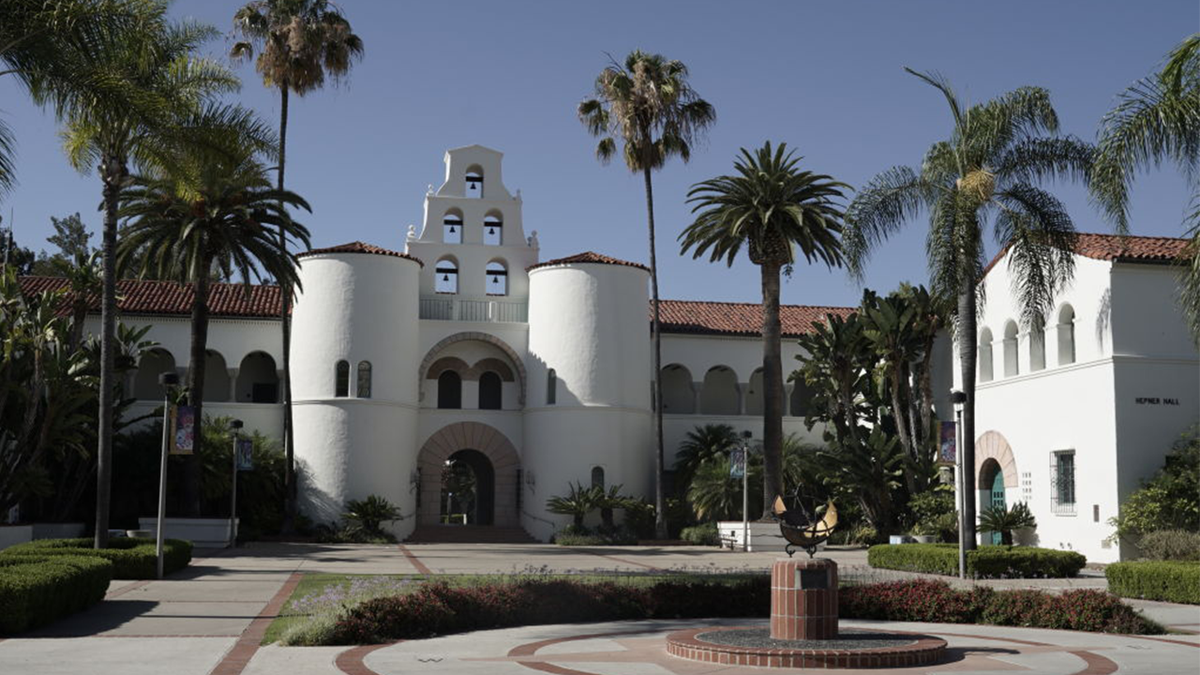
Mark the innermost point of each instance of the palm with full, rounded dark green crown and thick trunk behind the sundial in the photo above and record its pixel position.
(773, 208)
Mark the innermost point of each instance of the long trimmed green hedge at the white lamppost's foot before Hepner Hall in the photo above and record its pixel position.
(983, 563)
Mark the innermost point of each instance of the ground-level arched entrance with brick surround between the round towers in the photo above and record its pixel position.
(478, 457)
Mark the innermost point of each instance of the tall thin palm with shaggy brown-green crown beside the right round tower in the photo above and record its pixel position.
(650, 106)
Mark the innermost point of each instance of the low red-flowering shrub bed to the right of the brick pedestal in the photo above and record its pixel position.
(938, 602)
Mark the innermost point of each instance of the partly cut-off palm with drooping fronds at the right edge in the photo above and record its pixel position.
(1157, 120)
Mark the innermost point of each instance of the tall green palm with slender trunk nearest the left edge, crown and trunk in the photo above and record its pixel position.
(152, 83)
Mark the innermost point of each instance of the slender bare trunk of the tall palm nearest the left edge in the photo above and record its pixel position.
(113, 174)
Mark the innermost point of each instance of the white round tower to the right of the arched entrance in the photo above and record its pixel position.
(589, 408)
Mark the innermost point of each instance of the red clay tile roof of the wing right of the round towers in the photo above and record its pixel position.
(698, 318)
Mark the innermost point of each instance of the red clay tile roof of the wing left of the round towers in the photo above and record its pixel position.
(137, 297)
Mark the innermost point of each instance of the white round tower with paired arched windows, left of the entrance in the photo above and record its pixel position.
(355, 343)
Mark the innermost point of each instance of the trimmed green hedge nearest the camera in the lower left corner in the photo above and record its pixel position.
(39, 589)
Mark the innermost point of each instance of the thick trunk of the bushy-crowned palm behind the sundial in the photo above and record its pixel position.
(773, 390)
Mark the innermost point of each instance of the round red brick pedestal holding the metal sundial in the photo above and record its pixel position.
(805, 600)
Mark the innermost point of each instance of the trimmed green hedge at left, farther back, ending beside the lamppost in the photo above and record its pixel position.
(131, 558)
